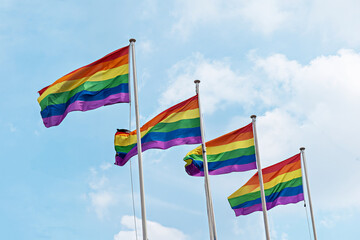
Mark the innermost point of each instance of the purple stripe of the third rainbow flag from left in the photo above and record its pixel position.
(192, 170)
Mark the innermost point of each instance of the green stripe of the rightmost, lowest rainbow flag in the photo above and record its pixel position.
(277, 188)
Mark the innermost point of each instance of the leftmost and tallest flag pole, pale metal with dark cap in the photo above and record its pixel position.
(138, 134)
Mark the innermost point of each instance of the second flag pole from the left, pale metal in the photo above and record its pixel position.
(210, 211)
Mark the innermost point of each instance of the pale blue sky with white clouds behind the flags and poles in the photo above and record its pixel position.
(295, 64)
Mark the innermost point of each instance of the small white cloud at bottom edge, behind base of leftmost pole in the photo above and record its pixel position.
(155, 230)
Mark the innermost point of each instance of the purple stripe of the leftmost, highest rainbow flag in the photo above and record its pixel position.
(85, 106)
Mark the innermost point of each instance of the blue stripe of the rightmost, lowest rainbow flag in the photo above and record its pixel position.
(286, 192)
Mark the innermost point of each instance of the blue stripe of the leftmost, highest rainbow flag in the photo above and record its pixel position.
(59, 109)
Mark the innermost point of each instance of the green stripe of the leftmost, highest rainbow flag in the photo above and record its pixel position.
(63, 97)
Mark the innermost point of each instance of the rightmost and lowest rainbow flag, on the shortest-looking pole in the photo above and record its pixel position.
(282, 185)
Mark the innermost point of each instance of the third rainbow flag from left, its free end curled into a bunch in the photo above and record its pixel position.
(232, 152)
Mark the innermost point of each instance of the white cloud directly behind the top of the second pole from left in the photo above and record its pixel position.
(219, 84)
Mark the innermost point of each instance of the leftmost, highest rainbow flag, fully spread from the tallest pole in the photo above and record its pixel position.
(103, 82)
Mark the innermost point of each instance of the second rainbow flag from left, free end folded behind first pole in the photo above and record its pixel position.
(175, 126)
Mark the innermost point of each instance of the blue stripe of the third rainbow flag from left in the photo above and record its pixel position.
(219, 164)
